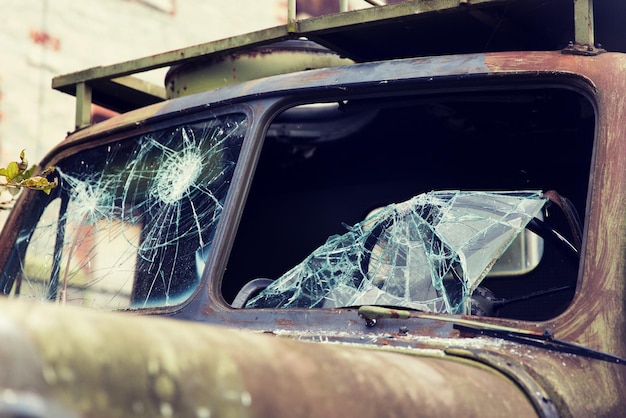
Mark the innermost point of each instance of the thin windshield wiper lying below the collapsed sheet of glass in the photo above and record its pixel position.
(543, 339)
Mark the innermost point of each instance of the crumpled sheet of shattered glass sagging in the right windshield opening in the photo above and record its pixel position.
(428, 253)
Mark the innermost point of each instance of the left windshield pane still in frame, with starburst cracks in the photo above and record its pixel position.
(125, 225)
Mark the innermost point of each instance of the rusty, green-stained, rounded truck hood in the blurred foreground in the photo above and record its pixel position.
(65, 361)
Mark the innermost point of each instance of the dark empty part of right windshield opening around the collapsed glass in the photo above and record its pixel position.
(315, 178)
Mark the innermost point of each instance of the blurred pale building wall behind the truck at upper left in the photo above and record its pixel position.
(40, 39)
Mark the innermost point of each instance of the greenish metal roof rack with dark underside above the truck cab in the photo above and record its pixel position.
(410, 28)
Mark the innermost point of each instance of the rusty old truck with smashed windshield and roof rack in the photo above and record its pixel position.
(412, 209)
